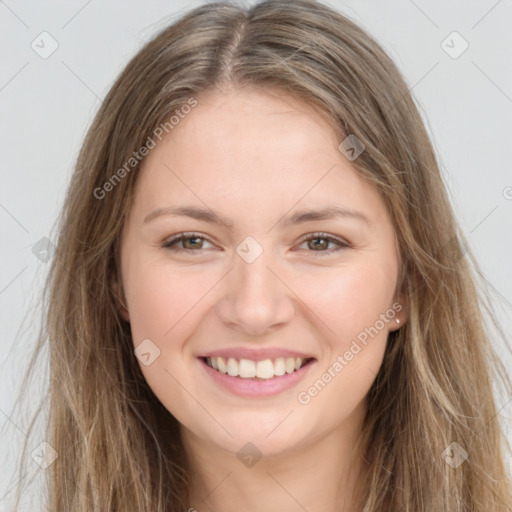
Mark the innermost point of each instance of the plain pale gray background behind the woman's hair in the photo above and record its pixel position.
(48, 103)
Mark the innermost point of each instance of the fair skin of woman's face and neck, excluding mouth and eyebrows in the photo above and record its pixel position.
(255, 158)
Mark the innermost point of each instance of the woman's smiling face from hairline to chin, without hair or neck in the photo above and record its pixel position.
(251, 175)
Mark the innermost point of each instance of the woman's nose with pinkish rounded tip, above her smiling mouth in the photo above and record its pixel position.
(256, 299)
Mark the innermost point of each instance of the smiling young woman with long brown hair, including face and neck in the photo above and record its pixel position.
(206, 353)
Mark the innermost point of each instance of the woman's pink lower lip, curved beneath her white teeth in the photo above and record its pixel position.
(258, 388)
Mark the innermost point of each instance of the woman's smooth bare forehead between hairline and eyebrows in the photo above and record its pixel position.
(252, 150)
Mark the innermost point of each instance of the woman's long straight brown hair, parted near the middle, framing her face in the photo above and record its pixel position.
(118, 447)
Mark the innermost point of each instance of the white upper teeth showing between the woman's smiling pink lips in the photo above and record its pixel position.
(256, 370)
